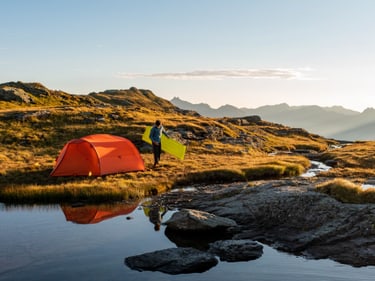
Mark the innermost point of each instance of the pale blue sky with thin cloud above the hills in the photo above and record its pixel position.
(246, 53)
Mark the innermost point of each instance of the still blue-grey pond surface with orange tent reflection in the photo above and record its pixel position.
(39, 243)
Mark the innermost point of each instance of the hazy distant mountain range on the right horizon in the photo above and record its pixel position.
(331, 122)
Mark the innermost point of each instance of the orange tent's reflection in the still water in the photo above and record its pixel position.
(96, 213)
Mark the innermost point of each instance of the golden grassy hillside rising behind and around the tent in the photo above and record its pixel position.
(218, 150)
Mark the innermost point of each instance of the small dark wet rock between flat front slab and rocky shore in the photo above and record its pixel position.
(236, 250)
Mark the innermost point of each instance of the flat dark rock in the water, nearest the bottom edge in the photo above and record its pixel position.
(173, 261)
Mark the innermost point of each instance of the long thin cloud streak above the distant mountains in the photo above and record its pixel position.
(276, 73)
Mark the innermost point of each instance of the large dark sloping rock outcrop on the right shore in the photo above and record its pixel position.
(291, 216)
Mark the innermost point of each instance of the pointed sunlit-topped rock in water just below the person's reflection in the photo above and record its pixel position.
(198, 221)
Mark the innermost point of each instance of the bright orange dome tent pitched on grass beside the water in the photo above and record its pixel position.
(97, 155)
